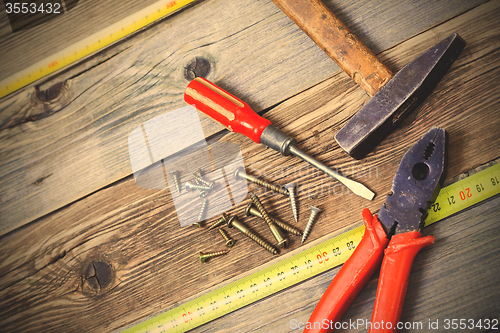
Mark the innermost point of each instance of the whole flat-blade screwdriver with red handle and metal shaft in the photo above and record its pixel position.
(237, 116)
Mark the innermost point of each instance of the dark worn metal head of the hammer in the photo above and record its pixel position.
(398, 98)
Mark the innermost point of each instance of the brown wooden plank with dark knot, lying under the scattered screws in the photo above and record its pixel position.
(43, 267)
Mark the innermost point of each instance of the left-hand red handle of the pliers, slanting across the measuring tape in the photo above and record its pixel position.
(351, 278)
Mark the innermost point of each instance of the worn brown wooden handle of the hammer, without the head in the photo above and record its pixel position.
(333, 37)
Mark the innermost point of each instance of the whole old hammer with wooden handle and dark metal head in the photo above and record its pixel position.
(394, 96)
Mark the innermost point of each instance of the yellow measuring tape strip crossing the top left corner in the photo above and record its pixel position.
(91, 44)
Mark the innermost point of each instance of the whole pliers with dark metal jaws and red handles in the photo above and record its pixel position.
(395, 232)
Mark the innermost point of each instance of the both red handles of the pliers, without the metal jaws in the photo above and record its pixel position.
(357, 270)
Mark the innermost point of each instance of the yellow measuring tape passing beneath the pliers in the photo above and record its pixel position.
(310, 262)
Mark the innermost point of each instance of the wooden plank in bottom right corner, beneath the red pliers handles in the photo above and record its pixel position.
(456, 278)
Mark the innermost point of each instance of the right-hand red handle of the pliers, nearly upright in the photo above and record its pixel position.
(393, 281)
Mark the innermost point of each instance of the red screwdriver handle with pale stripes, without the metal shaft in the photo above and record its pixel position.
(233, 113)
